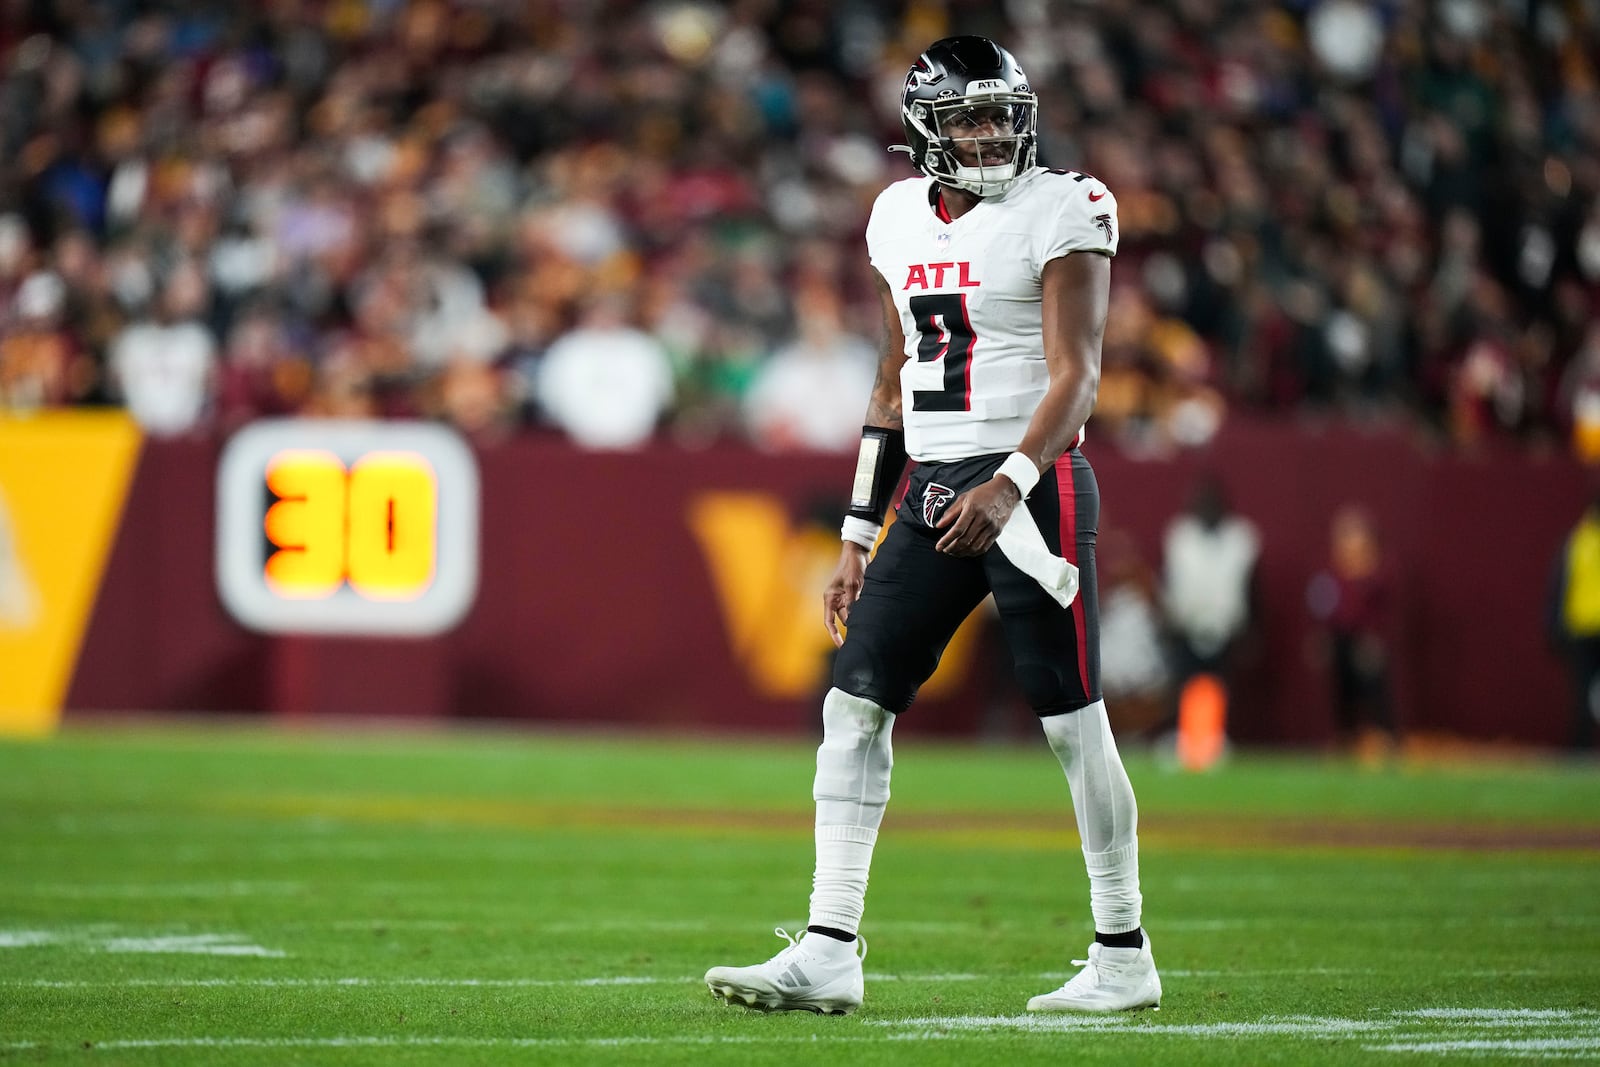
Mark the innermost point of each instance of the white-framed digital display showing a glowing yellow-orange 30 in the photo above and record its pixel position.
(329, 527)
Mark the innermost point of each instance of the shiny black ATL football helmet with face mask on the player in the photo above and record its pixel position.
(969, 89)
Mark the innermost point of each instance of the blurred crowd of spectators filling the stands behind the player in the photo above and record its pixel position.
(617, 220)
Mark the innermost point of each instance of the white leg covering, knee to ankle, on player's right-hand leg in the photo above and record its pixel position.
(1106, 812)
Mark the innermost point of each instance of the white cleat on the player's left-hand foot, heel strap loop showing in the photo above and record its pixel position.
(817, 973)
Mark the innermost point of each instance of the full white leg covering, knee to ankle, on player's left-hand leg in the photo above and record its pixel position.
(852, 791)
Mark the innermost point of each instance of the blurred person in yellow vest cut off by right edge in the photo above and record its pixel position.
(1574, 620)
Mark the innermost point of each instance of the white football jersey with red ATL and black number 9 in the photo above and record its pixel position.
(969, 297)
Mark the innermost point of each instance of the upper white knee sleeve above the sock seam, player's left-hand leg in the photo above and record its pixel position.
(854, 762)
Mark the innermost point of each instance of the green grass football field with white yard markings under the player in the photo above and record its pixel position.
(206, 895)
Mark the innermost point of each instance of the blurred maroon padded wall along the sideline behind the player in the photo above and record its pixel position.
(596, 604)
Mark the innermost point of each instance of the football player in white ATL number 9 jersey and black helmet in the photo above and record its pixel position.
(994, 278)
